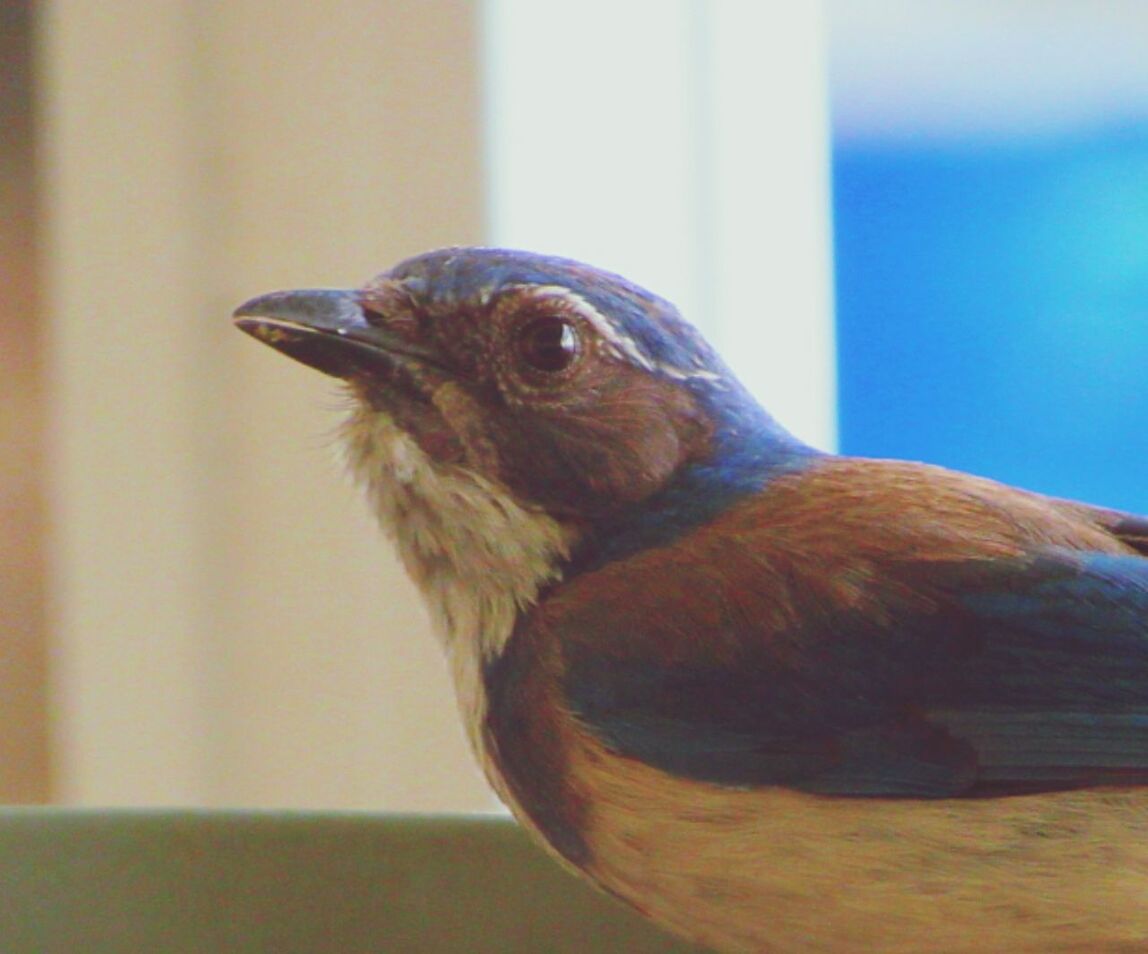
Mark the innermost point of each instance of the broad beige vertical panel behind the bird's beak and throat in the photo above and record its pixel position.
(228, 627)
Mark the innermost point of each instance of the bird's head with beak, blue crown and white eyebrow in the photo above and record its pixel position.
(567, 391)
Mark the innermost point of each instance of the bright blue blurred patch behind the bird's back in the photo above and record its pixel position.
(994, 309)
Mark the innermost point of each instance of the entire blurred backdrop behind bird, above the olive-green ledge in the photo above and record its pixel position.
(916, 230)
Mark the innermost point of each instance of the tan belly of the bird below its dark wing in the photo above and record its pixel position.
(773, 871)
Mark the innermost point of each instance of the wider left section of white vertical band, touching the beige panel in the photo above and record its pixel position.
(591, 135)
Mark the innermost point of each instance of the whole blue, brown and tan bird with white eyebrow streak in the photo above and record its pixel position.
(774, 699)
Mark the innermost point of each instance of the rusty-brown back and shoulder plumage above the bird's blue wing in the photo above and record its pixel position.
(843, 534)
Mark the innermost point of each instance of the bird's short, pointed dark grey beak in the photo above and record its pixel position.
(328, 330)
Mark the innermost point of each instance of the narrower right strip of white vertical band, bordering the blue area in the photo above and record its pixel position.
(769, 177)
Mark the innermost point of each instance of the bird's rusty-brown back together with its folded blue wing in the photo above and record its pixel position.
(868, 629)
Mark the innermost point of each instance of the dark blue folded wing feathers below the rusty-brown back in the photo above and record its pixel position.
(1030, 676)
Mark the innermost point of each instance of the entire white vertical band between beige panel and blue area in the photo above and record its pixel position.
(685, 145)
